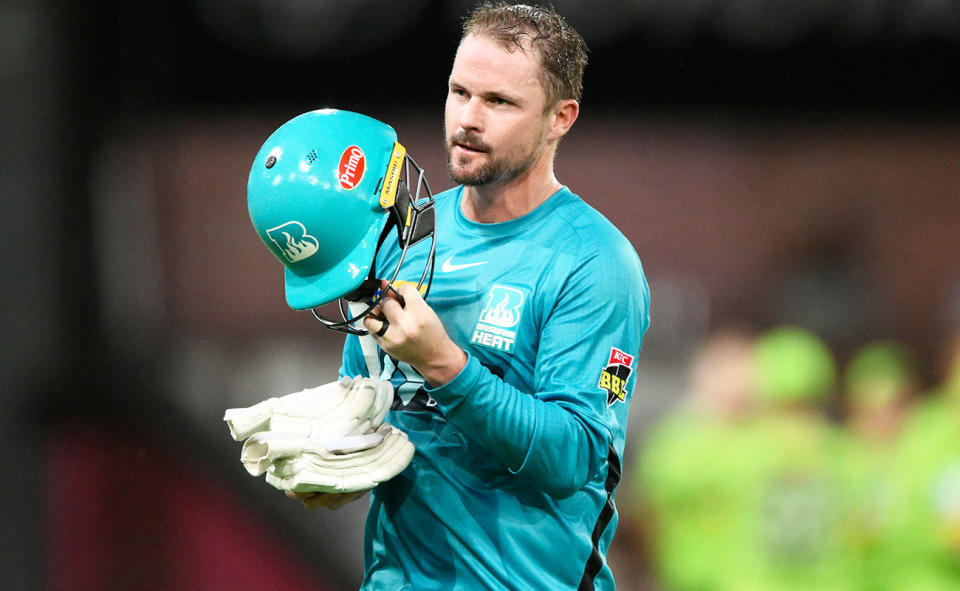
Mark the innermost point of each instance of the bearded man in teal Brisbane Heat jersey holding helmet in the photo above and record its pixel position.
(513, 382)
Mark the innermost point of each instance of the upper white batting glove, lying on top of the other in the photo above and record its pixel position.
(351, 406)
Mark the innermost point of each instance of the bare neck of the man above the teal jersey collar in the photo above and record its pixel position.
(502, 202)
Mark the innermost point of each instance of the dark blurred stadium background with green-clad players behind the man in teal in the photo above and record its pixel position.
(787, 170)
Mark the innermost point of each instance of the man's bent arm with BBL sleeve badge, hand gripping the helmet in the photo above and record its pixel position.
(554, 436)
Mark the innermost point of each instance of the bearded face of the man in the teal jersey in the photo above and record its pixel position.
(495, 121)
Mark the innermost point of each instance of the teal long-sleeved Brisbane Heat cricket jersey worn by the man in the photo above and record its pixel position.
(518, 457)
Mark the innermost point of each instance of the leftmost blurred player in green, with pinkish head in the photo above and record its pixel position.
(693, 464)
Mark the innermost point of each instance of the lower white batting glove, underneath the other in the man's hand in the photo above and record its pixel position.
(320, 470)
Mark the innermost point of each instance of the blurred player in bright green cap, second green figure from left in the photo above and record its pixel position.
(791, 522)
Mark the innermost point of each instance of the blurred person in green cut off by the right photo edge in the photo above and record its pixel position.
(927, 534)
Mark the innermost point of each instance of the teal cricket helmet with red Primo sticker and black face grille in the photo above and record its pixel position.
(324, 191)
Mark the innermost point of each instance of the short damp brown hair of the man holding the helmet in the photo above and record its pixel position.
(562, 51)
